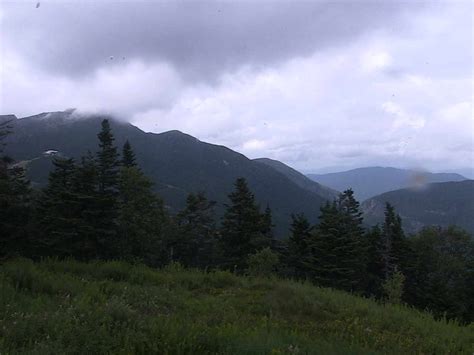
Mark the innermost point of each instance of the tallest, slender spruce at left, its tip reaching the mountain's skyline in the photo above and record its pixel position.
(108, 180)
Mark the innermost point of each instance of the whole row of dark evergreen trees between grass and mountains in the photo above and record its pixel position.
(103, 206)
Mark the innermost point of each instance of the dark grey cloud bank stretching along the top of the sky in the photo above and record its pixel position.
(201, 39)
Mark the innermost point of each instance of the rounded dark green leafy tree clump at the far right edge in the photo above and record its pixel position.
(443, 273)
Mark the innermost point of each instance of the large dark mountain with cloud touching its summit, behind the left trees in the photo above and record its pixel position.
(178, 163)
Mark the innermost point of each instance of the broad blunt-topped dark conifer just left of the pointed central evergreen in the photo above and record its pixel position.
(196, 242)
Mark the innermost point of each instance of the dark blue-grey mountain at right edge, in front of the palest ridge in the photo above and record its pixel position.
(441, 204)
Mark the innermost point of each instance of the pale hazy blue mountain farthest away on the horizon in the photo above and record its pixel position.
(372, 181)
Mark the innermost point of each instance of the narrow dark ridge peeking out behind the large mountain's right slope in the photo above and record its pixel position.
(300, 179)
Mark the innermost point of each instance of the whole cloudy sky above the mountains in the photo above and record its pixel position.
(319, 85)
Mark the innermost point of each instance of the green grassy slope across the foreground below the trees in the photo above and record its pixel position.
(57, 307)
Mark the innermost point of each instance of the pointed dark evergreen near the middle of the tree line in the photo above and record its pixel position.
(241, 232)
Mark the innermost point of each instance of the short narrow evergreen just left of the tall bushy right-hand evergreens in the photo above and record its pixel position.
(299, 256)
